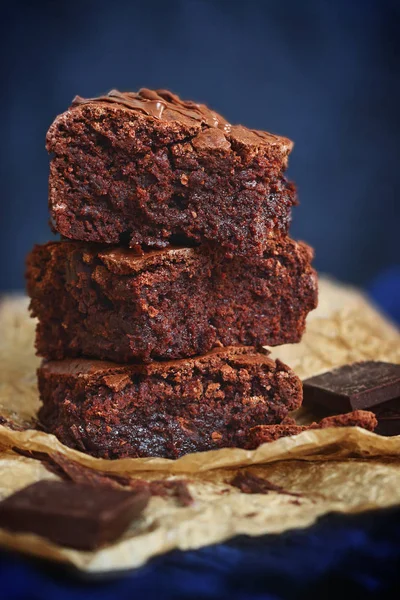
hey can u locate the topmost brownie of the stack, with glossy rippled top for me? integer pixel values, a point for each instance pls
(147, 169)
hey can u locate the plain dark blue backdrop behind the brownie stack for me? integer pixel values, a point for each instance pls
(324, 73)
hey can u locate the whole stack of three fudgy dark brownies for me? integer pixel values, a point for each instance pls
(174, 269)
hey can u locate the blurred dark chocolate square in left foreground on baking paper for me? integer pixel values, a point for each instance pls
(69, 514)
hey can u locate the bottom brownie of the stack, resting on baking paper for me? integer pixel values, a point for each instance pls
(165, 409)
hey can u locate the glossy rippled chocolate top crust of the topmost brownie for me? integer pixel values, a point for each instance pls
(164, 105)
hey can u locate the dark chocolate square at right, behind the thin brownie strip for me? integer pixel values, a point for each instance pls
(356, 386)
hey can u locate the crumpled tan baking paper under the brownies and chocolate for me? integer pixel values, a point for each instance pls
(345, 470)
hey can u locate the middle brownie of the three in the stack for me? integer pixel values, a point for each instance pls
(112, 304)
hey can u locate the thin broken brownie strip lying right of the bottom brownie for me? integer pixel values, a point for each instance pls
(261, 434)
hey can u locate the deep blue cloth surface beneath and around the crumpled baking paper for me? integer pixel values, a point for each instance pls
(357, 556)
